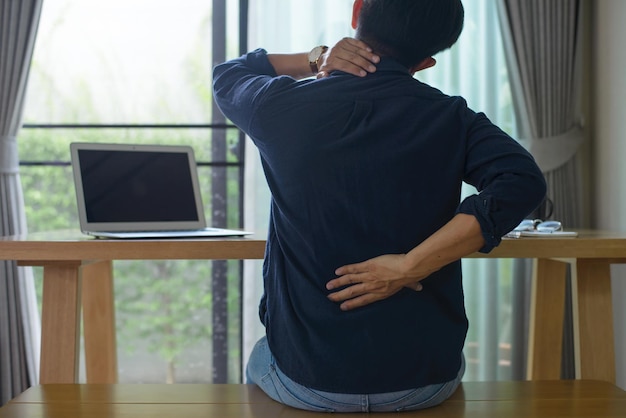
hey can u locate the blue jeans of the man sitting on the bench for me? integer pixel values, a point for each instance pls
(263, 371)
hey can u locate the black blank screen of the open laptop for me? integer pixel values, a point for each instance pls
(137, 186)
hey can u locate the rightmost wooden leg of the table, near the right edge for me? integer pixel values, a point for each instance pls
(593, 320)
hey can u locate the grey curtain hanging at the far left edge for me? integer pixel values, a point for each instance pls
(19, 317)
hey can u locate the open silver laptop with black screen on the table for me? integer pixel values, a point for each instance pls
(139, 191)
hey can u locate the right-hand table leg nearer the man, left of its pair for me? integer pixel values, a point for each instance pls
(546, 320)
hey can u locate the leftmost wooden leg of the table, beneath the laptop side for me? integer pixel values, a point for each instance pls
(60, 323)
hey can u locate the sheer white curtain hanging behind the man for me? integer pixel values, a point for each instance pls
(475, 68)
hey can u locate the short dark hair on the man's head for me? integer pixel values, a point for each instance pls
(410, 30)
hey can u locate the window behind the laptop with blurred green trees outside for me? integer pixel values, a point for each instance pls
(140, 72)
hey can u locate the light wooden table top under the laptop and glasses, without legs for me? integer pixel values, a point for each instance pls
(72, 245)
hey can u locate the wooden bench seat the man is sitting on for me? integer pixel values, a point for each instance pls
(539, 399)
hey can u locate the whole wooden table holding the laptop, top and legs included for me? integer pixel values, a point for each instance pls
(79, 269)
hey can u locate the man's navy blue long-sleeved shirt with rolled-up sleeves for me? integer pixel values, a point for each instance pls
(357, 168)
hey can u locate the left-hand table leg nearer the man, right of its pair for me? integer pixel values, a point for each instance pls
(99, 322)
